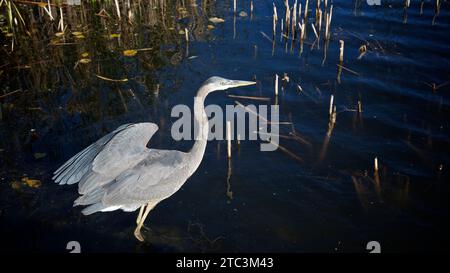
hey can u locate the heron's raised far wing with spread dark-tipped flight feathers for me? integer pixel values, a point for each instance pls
(108, 156)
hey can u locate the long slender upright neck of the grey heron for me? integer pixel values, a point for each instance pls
(201, 128)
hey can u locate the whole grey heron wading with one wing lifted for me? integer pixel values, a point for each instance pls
(119, 172)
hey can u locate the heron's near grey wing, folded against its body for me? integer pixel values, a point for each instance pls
(155, 178)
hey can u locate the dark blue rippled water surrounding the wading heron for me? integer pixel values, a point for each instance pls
(330, 202)
